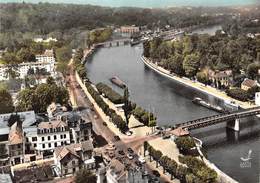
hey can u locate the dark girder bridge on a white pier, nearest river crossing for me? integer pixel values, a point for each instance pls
(232, 119)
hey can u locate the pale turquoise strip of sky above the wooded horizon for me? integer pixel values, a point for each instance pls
(147, 3)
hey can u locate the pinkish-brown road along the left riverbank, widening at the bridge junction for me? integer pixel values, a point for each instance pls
(100, 129)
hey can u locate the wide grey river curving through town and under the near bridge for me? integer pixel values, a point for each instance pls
(171, 102)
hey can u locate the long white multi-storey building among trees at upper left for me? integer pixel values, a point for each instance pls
(45, 61)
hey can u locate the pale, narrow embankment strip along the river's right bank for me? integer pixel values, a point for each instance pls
(195, 85)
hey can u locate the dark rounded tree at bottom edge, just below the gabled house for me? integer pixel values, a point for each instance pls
(85, 176)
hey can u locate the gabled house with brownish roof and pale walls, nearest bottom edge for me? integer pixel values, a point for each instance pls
(69, 159)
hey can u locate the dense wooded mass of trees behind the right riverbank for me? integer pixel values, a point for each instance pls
(194, 53)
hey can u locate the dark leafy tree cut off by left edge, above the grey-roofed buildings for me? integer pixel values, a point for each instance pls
(6, 102)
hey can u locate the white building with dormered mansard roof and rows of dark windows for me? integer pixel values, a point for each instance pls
(49, 135)
